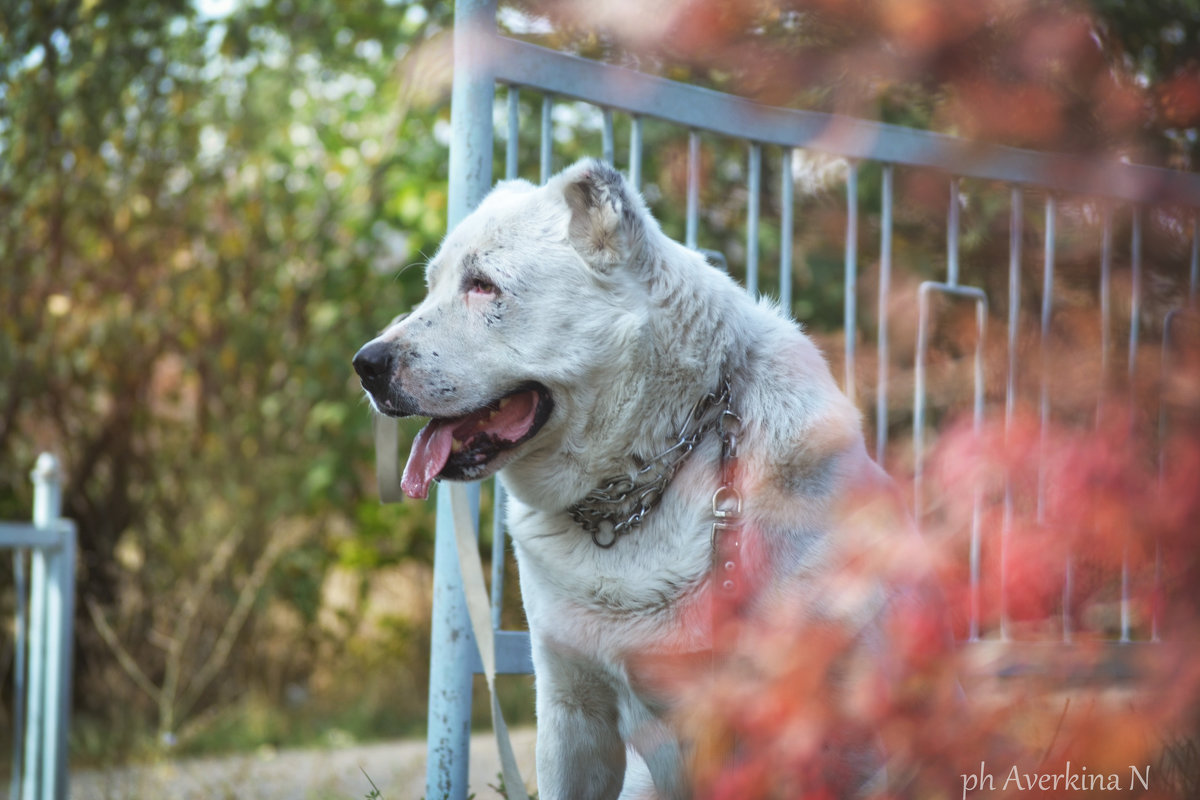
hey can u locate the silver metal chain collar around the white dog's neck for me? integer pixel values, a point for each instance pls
(622, 503)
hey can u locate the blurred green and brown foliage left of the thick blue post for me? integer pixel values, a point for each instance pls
(205, 215)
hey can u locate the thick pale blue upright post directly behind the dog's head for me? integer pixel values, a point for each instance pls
(453, 647)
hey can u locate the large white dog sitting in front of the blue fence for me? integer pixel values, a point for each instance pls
(628, 390)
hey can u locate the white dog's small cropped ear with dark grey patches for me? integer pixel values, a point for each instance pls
(607, 216)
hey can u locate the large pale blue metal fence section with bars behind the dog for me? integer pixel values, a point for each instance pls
(484, 59)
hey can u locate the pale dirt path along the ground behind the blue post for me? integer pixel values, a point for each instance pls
(397, 768)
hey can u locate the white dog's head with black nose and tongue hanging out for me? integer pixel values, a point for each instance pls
(527, 298)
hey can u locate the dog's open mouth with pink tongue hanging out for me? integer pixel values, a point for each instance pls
(463, 448)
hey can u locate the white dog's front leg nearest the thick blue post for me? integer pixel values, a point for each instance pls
(580, 753)
